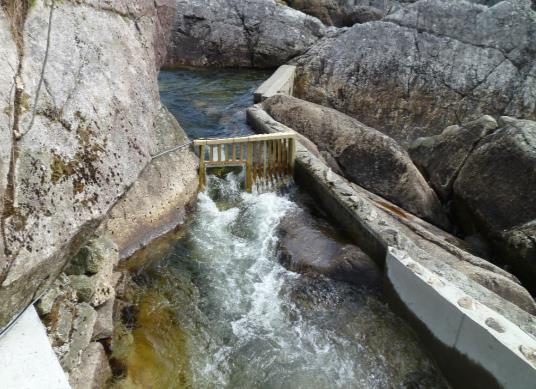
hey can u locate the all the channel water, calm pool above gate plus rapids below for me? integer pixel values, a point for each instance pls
(216, 309)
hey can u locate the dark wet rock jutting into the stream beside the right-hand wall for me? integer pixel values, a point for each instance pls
(311, 245)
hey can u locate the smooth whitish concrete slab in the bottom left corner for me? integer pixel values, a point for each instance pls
(26, 357)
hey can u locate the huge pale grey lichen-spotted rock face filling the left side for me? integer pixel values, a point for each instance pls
(83, 130)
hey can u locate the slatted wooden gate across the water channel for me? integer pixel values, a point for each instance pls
(265, 156)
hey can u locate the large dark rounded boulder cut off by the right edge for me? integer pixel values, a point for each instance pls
(494, 192)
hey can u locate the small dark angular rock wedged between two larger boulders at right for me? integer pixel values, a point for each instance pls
(440, 157)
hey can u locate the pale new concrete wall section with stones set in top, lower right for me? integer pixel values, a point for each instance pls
(484, 336)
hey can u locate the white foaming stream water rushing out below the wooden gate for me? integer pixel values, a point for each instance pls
(250, 323)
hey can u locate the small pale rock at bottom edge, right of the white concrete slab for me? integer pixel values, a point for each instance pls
(94, 371)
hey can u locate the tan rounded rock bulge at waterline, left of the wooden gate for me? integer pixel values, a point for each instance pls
(158, 200)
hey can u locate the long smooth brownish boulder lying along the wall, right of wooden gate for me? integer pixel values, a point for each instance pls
(366, 156)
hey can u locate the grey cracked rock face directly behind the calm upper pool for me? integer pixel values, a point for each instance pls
(251, 33)
